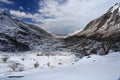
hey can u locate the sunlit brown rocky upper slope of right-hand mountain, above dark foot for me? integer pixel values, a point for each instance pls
(106, 26)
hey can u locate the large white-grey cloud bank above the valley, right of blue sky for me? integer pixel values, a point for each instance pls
(72, 14)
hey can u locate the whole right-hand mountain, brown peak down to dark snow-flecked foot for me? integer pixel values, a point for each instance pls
(100, 36)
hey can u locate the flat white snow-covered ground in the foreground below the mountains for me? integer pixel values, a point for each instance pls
(62, 67)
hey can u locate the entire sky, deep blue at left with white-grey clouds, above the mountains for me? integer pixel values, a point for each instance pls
(57, 16)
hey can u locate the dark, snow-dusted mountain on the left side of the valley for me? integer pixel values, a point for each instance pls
(16, 35)
